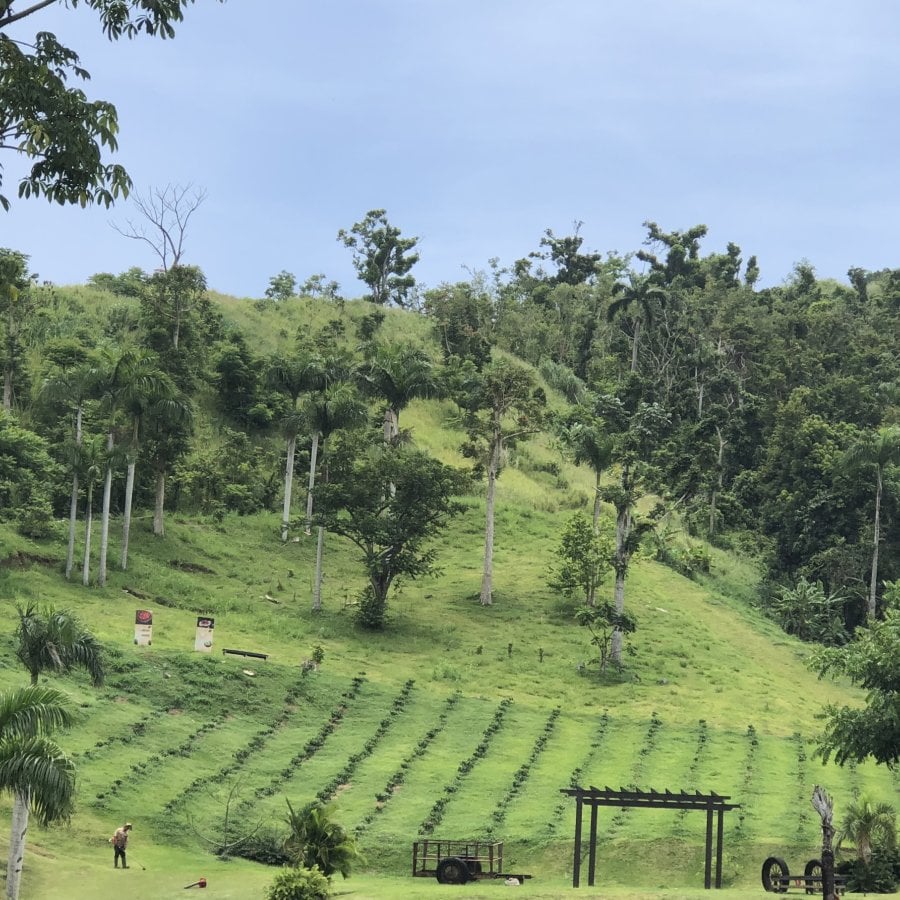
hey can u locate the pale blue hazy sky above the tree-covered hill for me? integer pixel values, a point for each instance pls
(478, 124)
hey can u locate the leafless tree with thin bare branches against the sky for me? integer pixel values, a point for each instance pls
(164, 217)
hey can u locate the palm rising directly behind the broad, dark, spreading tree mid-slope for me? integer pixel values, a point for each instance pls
(399, 373)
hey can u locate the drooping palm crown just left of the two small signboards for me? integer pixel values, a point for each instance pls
(54, 640)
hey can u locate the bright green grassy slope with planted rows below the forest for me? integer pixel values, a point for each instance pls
(716, 698)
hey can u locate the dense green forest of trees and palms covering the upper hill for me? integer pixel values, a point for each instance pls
(761, 419)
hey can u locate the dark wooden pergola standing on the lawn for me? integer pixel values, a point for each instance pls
(713, 804)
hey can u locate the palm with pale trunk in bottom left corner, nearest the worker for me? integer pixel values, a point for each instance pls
(33, 768)
